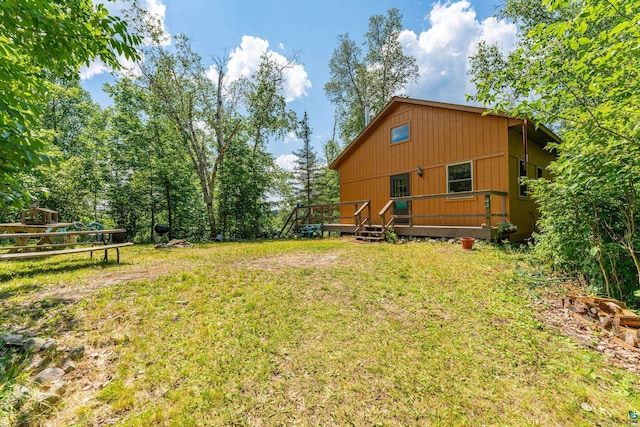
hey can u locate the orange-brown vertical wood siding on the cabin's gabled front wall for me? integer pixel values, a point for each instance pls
(437, 137)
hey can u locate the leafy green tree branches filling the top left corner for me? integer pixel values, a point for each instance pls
(38, 38)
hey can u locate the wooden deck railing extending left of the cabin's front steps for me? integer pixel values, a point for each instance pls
(329, 213)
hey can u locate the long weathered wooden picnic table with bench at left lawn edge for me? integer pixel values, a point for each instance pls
(45, 246)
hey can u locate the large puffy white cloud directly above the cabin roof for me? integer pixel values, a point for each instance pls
(443, 51)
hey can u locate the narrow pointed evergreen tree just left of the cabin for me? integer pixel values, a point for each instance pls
(306, 171)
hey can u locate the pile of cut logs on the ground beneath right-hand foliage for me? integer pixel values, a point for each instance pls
(608, 315)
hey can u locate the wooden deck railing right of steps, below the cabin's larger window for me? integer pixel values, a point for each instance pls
(387, 219)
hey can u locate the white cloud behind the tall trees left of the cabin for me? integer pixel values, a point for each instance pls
(245, 60)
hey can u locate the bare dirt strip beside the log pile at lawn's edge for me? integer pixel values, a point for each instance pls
(560, 318)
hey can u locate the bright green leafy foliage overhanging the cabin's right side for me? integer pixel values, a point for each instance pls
(576, 67)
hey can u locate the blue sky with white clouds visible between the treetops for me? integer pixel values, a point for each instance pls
(440, 34)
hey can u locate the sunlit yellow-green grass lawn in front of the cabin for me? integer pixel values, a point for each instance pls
(322, 332)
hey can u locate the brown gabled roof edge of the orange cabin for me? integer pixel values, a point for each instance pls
(396, 100)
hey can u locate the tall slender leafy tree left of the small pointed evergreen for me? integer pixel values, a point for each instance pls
(247, 172)
